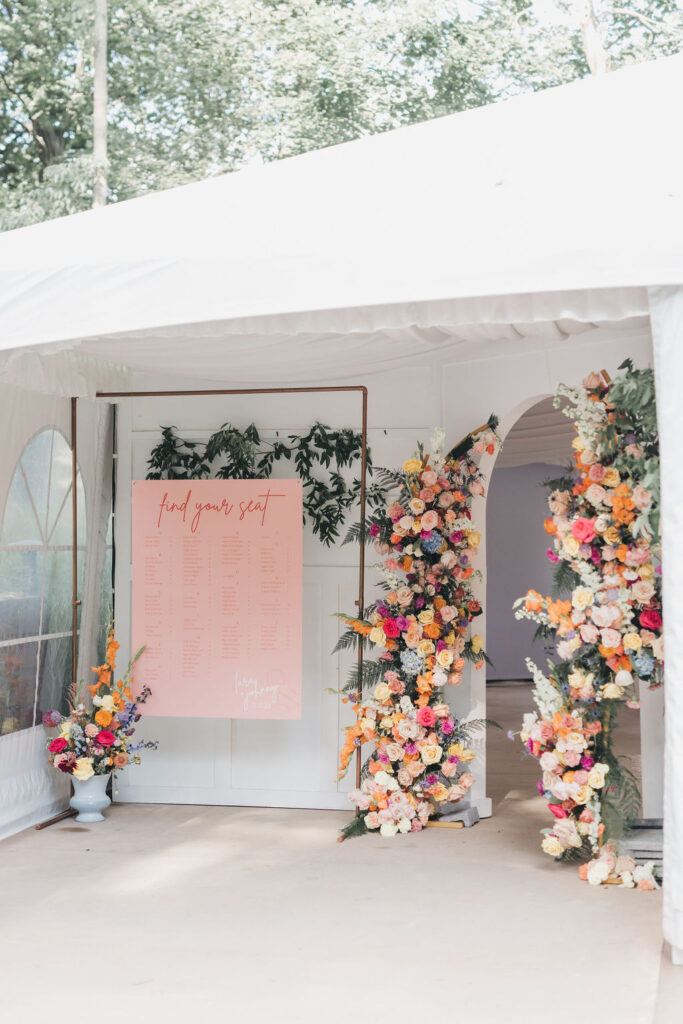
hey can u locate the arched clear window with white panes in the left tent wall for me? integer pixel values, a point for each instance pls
(36, 590)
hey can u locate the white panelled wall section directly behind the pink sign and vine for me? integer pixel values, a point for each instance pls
(290, 764)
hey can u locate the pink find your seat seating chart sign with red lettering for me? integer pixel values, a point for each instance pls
(218, 598)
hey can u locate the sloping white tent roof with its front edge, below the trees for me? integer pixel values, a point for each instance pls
(556, 208)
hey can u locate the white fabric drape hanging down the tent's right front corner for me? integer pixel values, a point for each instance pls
(667, 319)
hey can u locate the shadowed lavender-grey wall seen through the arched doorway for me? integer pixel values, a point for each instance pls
(517, 544)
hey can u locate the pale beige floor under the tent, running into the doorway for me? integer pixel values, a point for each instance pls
(201, 914)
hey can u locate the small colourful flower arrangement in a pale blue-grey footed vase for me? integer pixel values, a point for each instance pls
(96, 741)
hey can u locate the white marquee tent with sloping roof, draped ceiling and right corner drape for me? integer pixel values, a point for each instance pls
(495, 250)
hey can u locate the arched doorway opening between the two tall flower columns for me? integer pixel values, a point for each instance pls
(537, 449)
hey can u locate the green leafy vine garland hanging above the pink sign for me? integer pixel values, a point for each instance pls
(319, 458)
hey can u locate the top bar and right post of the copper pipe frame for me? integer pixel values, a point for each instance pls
(364, 474)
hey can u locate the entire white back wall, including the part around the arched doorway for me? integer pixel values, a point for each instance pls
(294, 764)
